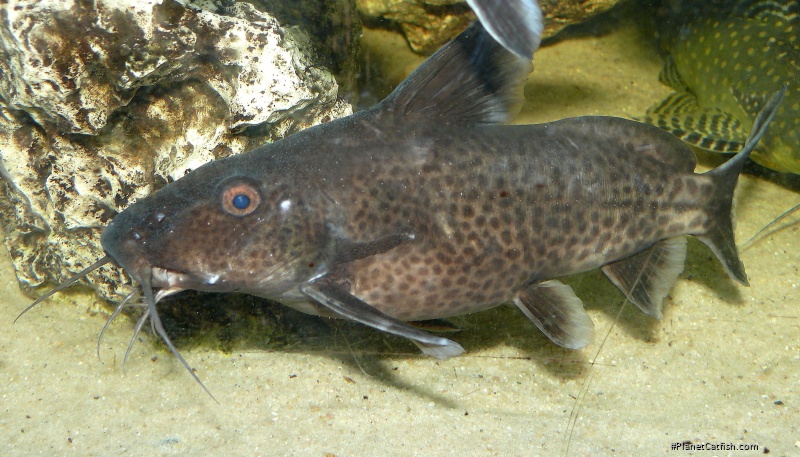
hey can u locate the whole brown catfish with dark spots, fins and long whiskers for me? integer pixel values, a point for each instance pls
(424, 207)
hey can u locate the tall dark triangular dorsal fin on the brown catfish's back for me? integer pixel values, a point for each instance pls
(471, 80)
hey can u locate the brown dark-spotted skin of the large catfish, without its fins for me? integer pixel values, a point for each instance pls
(489, 213)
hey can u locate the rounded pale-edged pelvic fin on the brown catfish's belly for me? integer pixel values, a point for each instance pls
(558, 313)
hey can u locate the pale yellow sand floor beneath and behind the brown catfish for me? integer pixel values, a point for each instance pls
(723, 366)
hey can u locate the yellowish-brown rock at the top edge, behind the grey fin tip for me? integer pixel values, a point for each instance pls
(428, 24)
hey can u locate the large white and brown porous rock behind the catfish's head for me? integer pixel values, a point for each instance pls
(104, 101)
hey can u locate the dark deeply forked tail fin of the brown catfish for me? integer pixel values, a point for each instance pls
(719, 230)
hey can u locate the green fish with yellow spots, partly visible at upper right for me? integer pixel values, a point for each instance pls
(724, 58)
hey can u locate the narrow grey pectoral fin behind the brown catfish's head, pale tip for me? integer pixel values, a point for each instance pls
(336, 298)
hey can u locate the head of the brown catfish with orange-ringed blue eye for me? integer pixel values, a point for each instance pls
(242, 224)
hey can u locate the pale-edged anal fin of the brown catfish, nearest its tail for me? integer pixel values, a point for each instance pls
(647, 277)
